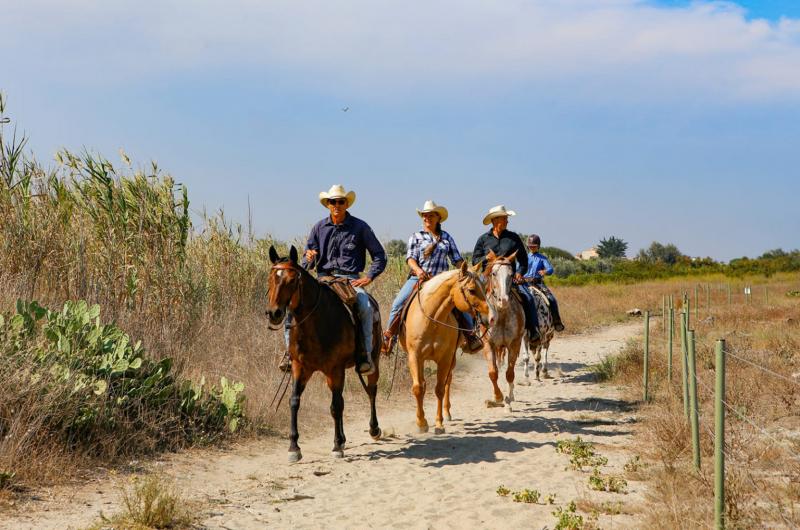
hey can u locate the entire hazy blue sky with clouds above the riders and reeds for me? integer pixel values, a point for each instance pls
(671, 121)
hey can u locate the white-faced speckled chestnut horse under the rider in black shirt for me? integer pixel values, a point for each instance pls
(505, 335)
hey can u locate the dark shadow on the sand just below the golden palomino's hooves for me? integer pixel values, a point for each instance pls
(442, 451)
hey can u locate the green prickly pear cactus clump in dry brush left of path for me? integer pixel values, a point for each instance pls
(104, 383)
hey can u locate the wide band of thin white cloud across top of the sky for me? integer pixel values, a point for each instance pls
(602, 49)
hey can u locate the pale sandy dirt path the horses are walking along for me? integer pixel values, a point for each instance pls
(410, 480)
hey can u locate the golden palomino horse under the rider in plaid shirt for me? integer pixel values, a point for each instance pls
(431, 333)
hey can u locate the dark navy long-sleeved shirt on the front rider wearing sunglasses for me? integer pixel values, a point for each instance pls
(342, 248)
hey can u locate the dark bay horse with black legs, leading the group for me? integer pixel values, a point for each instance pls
(322, 338)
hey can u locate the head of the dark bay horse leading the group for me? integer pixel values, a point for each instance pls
(283, 286)
